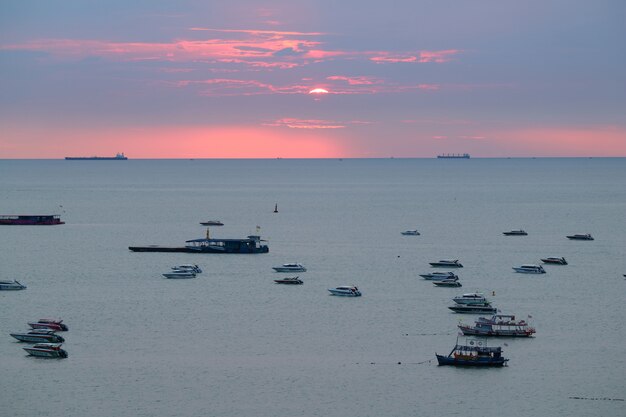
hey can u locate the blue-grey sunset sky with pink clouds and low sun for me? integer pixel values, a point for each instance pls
(312, 79)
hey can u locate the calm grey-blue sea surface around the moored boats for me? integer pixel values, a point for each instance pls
(233, 343)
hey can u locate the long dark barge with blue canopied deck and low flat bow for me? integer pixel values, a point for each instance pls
(252, 244)
